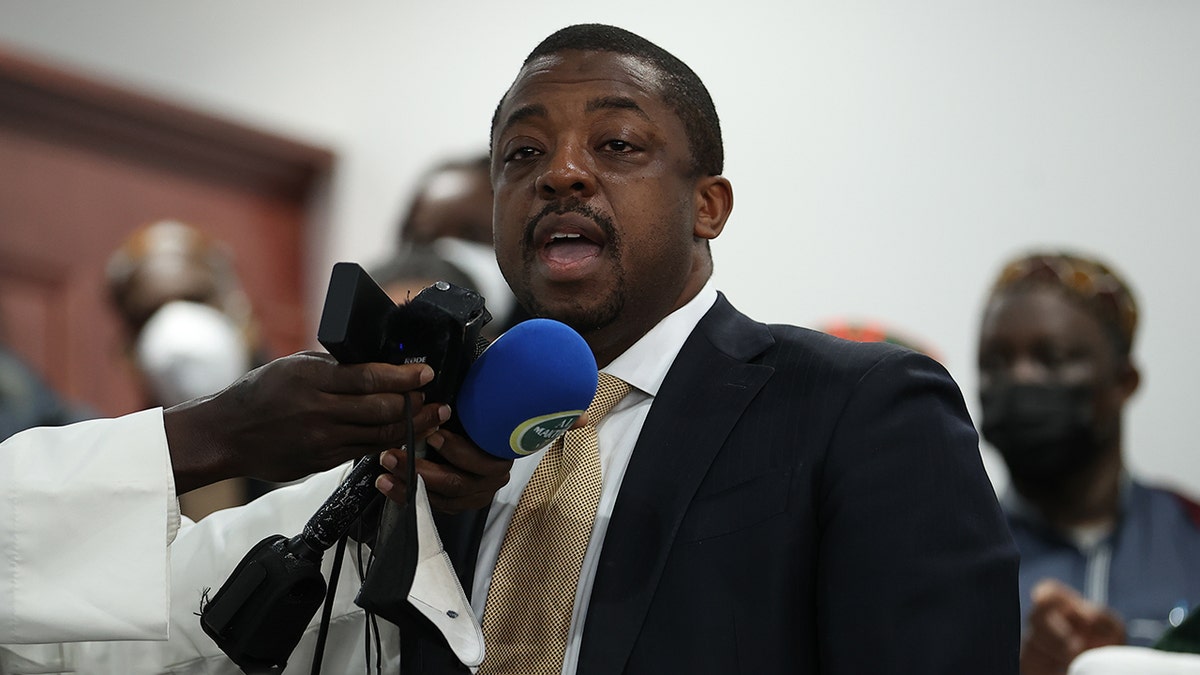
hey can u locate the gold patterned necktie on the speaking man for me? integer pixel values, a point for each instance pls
(530, 605)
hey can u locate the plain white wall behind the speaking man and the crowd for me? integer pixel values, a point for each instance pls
(886, 156)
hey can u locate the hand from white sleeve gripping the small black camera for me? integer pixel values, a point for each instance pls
(296, 416)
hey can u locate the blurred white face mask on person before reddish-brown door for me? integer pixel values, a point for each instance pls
(189, 350)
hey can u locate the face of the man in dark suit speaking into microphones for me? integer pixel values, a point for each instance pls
(596, 199)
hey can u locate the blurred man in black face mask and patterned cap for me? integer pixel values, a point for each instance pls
(1106, 559)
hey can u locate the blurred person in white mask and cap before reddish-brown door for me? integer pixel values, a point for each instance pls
(188, 327)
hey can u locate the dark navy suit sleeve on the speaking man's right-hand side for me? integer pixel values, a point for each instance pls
(917, 572)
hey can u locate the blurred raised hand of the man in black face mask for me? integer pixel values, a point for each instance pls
(1061, 626)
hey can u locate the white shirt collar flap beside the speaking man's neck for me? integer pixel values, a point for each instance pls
(646, 363)
